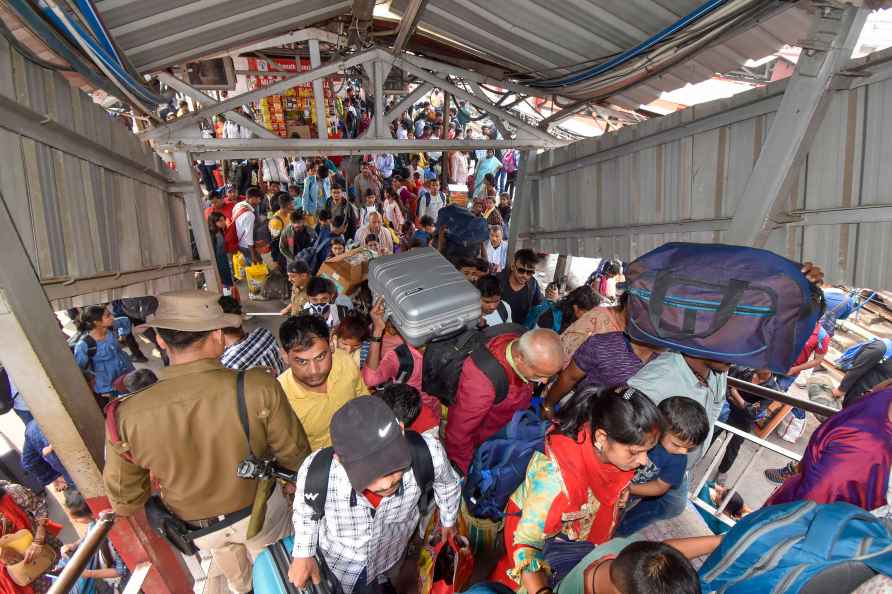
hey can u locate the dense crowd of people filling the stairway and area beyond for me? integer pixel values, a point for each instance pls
(336, 399)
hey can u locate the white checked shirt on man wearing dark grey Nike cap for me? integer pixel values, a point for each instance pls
(353, 535)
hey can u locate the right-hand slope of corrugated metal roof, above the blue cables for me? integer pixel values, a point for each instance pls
(532, 35)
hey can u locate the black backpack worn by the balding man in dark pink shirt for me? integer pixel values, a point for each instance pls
(444, 358)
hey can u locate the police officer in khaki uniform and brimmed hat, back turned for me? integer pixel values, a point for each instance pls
(185, 431)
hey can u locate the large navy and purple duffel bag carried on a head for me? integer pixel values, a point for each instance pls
(739, 305)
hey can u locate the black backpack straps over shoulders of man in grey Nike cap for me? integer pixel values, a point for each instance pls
(316, 486)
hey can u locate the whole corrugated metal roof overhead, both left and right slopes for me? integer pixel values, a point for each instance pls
(524, 35)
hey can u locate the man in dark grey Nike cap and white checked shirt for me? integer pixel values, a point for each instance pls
(357, 503)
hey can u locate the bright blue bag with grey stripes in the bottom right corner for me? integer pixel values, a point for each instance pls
(800, 548)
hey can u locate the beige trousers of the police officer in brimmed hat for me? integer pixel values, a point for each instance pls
(234, 554)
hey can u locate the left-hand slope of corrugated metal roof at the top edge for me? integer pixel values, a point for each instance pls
(156, 34)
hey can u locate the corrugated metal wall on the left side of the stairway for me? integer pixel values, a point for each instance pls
(79, 219)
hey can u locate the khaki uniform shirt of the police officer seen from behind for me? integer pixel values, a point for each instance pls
(185, 431)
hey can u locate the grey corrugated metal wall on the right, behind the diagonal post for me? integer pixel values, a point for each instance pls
(678, 178)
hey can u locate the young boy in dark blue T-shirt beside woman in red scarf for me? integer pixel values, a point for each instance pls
(687, 426)
